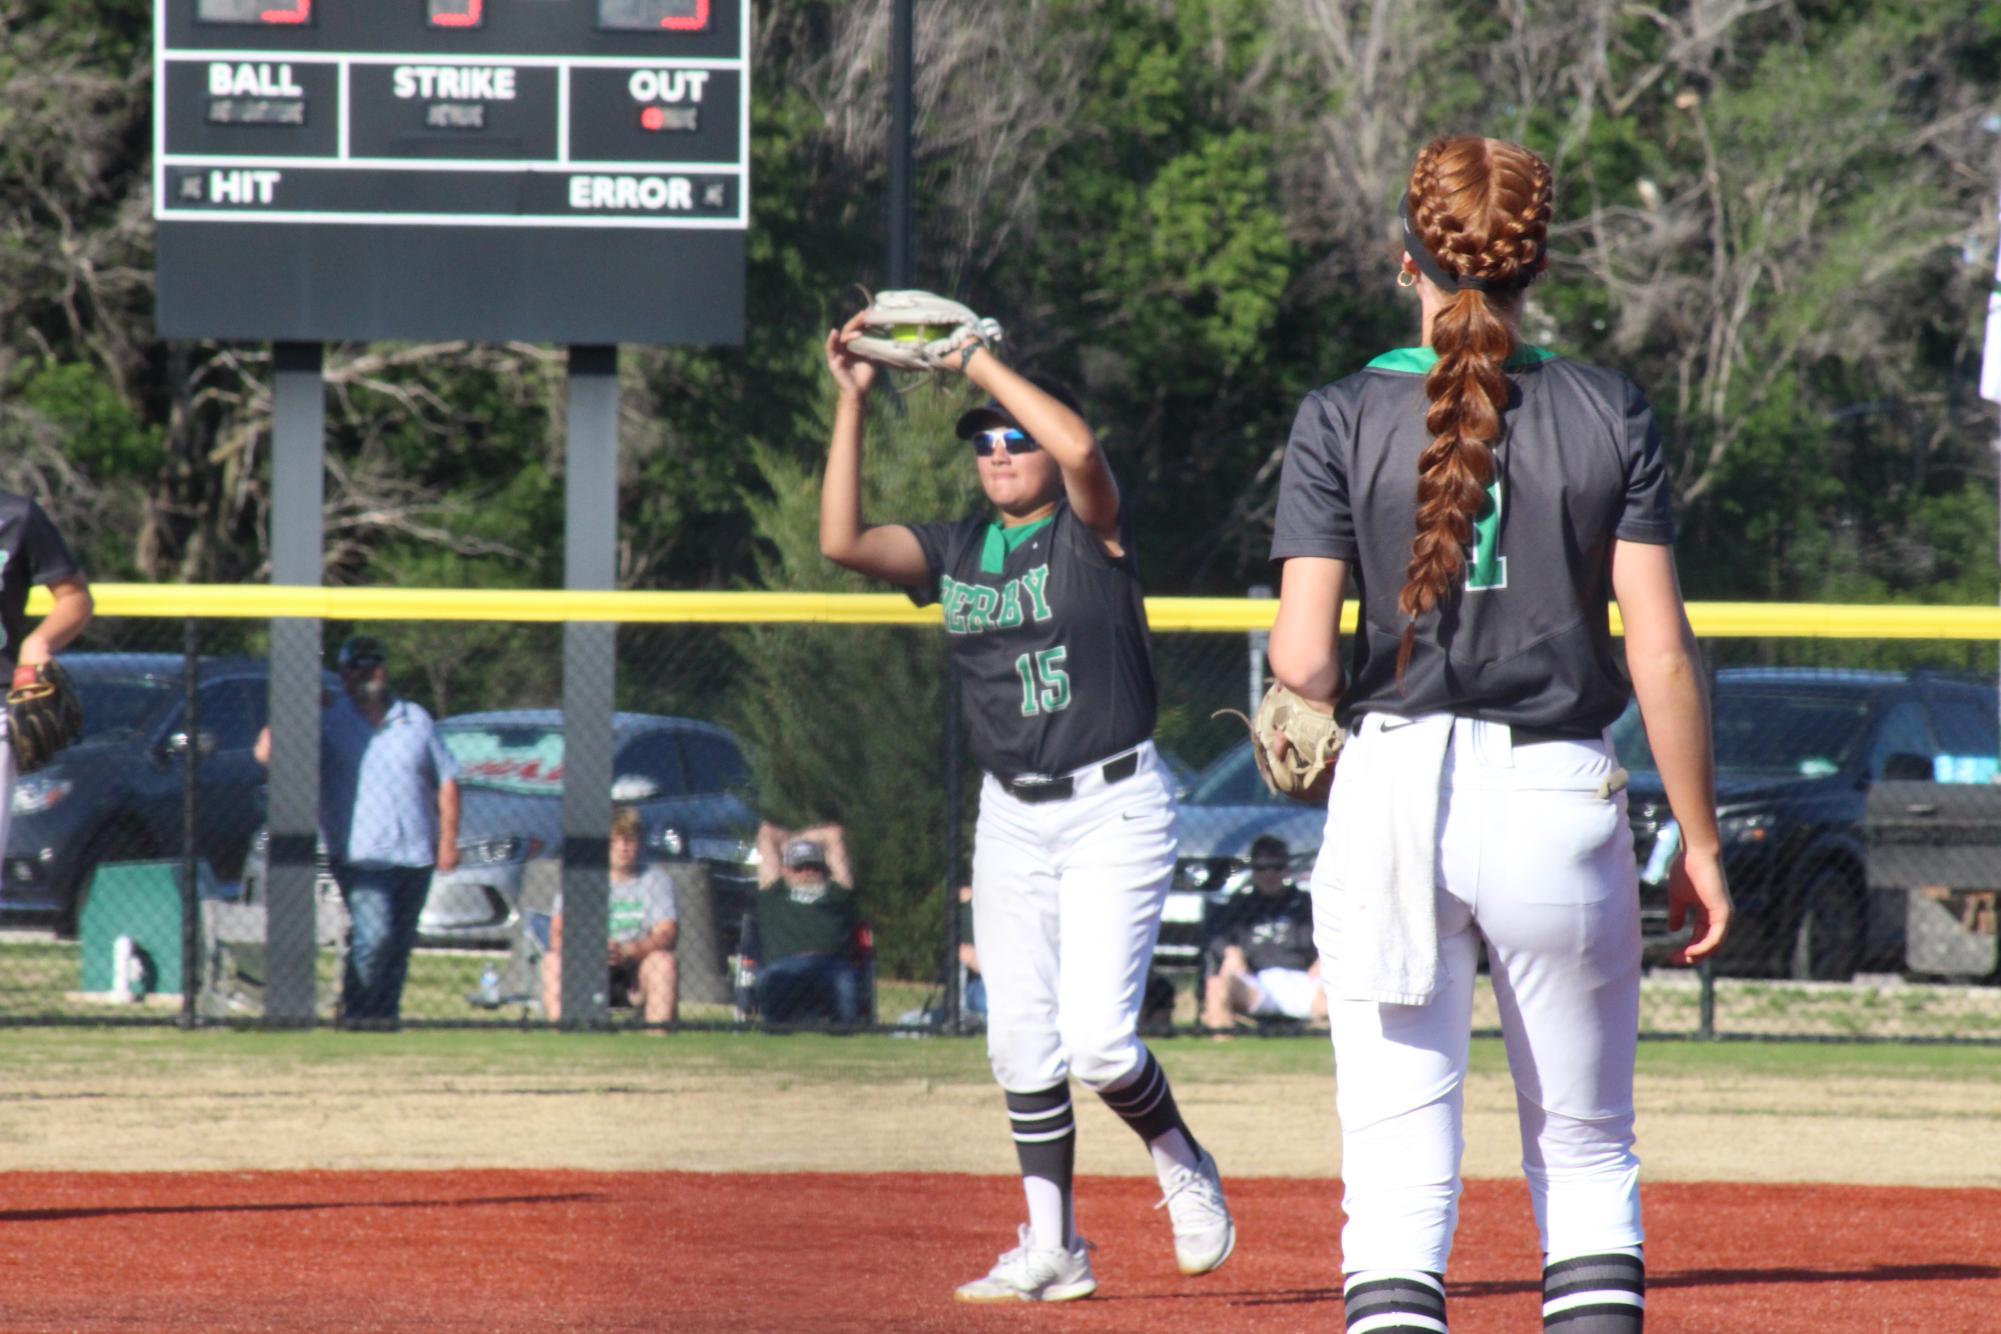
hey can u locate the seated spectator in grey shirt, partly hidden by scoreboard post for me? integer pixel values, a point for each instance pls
(645, 925)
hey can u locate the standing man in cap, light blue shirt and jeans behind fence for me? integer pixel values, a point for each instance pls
(389, 815)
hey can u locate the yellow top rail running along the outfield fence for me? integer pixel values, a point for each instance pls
(889, 609)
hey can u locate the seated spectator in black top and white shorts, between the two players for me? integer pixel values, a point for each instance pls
(1264, 959)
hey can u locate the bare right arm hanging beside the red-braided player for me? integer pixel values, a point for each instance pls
(1668, 681)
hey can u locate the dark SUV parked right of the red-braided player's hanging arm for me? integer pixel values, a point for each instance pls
(1838, 793)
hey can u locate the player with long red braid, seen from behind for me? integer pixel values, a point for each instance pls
(1486, 499)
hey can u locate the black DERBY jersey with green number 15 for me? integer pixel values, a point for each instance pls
(1048, 635)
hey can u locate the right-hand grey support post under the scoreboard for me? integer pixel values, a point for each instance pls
(589, 563)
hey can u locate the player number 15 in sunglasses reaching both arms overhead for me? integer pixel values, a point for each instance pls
(1078, 823)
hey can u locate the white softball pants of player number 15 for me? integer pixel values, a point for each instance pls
(1066, 915)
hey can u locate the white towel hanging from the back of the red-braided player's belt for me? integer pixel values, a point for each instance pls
(1390, 917)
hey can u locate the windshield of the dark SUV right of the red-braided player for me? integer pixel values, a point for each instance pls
(1768, 731)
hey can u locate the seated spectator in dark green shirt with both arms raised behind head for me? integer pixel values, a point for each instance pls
(807, 927)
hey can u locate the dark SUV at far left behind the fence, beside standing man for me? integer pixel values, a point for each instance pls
(117, 795)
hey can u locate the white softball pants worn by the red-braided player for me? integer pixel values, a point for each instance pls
(1540, 867)
